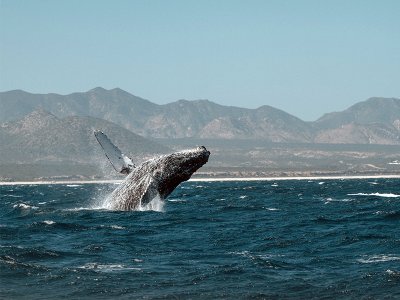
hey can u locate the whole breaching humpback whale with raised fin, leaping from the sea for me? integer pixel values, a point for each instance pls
(155, 177)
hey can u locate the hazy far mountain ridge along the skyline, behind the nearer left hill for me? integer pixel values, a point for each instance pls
(376, 120)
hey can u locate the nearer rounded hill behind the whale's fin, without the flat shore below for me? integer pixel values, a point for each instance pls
(41, 136)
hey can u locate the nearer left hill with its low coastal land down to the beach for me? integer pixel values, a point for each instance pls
(41, 144)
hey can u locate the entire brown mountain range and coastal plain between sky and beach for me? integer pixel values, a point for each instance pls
(51, 136)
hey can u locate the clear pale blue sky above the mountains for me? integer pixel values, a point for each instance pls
(305, 57)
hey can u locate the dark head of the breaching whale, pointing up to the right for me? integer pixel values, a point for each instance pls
(180, 166)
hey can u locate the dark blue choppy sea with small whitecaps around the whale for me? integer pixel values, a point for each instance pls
(285, 240)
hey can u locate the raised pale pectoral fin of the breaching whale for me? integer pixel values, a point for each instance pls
(120, 162)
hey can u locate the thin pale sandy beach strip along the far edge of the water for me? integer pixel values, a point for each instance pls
(223, 179)
